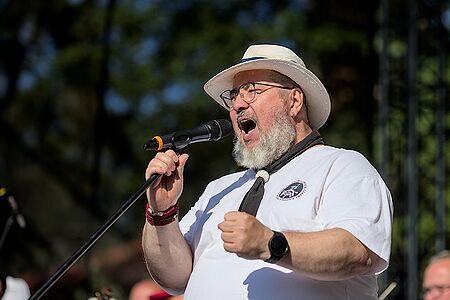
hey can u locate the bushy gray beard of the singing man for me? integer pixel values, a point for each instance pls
(272, 146)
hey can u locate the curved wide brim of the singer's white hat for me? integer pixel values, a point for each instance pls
(317, 98)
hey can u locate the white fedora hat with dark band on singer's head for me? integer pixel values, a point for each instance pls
(284, 61)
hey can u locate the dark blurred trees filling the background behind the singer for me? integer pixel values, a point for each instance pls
(83, 84)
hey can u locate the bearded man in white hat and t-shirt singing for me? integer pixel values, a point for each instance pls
(304, 220)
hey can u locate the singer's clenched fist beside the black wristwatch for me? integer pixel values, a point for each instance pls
(244, 235)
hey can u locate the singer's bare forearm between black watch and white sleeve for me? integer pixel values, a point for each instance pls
(333, 254)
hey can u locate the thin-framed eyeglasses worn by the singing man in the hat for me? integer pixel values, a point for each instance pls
(247, 92)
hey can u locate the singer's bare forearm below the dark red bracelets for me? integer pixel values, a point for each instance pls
(167, 255)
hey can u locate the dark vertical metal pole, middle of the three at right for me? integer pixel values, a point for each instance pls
(411, 164)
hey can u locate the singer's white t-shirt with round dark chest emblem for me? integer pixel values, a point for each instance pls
(323, 188)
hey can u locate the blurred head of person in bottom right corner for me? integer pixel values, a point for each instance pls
(436, 281)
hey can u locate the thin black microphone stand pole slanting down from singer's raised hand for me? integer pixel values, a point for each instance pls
(77, 254)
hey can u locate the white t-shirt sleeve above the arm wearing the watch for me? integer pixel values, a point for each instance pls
(356, 199)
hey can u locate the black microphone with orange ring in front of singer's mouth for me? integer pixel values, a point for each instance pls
(211, 131)
